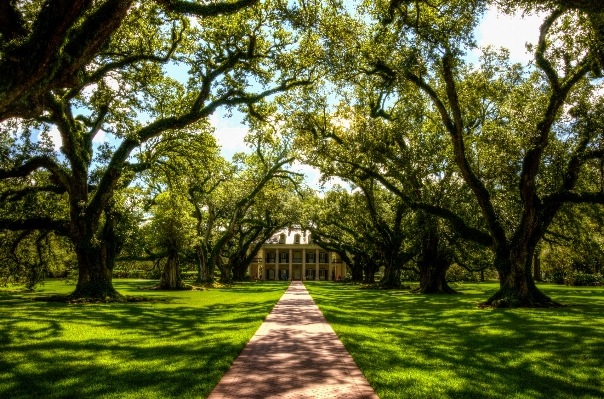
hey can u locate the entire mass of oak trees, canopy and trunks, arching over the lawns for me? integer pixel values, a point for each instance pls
(448, 158)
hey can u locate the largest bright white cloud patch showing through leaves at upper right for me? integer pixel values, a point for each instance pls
(510, 31)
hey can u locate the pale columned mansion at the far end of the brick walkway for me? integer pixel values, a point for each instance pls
(290, 255)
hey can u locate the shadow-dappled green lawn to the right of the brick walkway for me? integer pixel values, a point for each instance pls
(443, 346)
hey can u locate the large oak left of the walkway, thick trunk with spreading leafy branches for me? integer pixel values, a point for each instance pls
(123, 91)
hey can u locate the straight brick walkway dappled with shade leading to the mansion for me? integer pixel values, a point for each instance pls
(294, 354)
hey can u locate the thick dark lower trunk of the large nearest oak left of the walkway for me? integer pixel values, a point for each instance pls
(95, 267)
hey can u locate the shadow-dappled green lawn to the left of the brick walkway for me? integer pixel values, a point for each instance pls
(179, 347)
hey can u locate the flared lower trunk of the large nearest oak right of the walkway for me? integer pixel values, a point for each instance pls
(517, 287)
